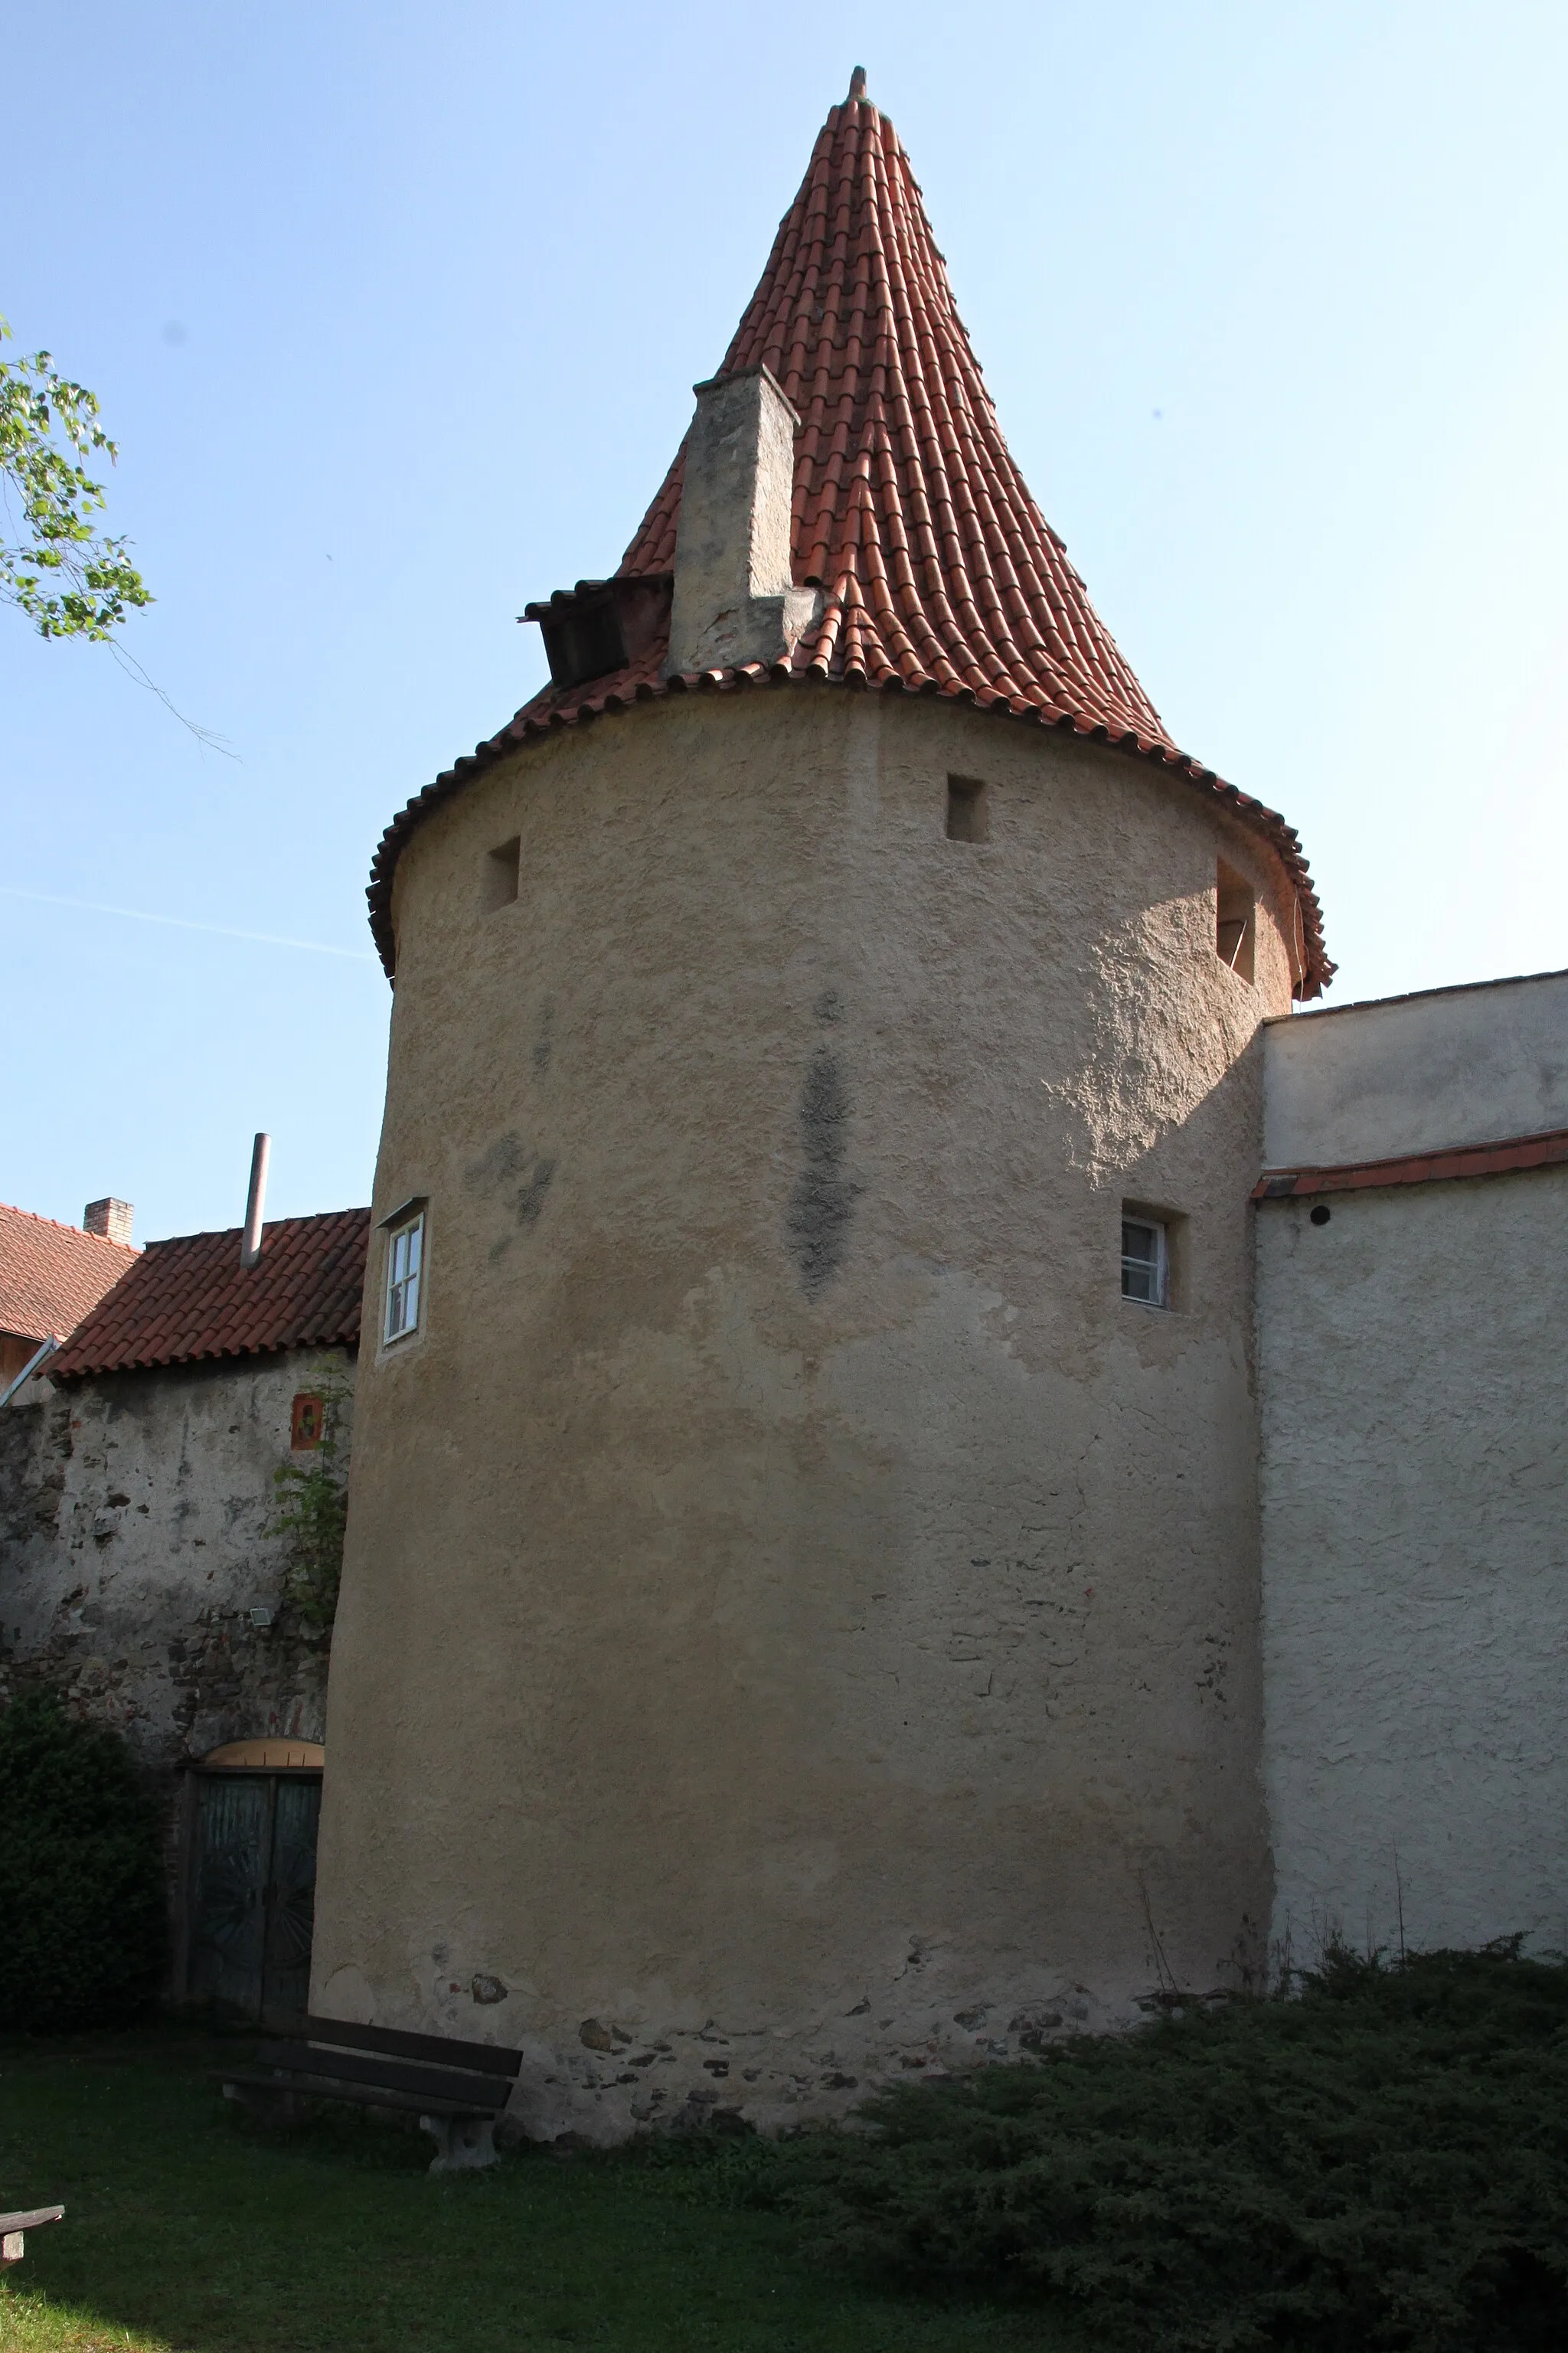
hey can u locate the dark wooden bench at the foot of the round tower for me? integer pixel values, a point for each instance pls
(453, 2088)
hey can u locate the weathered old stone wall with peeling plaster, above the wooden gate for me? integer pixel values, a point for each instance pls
(133, 1552)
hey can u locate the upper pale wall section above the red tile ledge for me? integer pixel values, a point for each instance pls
(1418, 1074)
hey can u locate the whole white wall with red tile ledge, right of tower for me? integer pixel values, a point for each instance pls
(1411, 1314)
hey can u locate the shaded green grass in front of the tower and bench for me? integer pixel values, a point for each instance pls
(194, 2232)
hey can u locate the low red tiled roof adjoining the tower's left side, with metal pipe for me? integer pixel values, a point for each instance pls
(192, 1300)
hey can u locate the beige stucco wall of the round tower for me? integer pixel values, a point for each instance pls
(799, 1622)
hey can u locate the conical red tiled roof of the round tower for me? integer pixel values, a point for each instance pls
(936, 568)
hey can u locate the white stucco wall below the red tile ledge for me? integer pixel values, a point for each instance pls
(1416, 1566)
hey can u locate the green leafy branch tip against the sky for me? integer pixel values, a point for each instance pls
(53, 564)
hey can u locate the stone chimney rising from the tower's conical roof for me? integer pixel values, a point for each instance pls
(736, 596)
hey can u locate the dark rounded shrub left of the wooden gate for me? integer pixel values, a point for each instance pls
(81, 1874)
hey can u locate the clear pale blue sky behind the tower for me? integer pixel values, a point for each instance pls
(397, 314)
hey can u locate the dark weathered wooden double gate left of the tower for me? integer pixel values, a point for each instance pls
(251, 1893)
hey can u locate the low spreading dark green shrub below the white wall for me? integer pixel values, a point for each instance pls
(1376, 2164)
